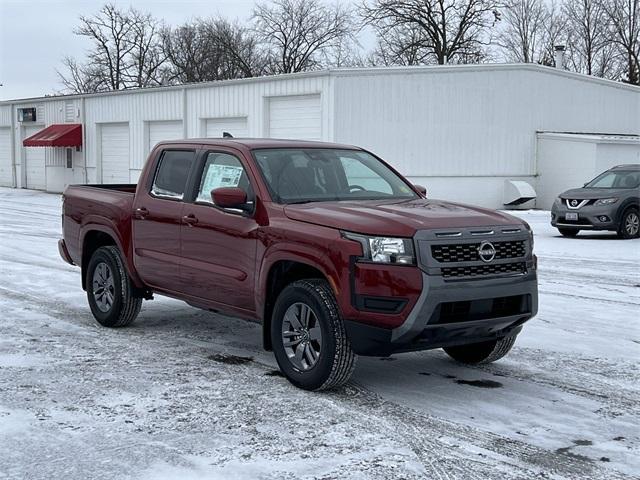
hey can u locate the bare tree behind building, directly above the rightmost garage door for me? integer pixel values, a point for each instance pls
(296, 33)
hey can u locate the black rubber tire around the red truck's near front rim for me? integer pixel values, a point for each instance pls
(335, 361)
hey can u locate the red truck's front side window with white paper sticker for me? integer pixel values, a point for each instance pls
(222, 170)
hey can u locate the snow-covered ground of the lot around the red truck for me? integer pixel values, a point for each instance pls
(186, 394)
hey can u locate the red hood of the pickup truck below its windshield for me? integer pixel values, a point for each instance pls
(396, 217)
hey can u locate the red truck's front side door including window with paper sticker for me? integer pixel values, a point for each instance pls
(219, 245)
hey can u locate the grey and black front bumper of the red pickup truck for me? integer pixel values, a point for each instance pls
(428, 326)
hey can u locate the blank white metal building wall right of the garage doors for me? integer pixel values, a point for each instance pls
(465, 129)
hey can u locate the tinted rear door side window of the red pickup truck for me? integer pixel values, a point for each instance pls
(172, 173)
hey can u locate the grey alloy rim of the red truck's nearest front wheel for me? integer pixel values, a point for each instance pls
(301, 336)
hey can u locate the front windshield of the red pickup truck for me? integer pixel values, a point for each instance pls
(315, 175)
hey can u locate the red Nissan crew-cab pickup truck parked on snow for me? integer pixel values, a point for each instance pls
(327, 246)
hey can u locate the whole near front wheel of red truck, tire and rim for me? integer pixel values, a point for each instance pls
(308, 337)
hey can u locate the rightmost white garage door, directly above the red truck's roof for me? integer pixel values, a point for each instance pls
(297, 117)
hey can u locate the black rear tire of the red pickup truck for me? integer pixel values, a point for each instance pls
(125, 306)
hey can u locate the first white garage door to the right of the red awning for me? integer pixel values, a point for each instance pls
(114, 148)
